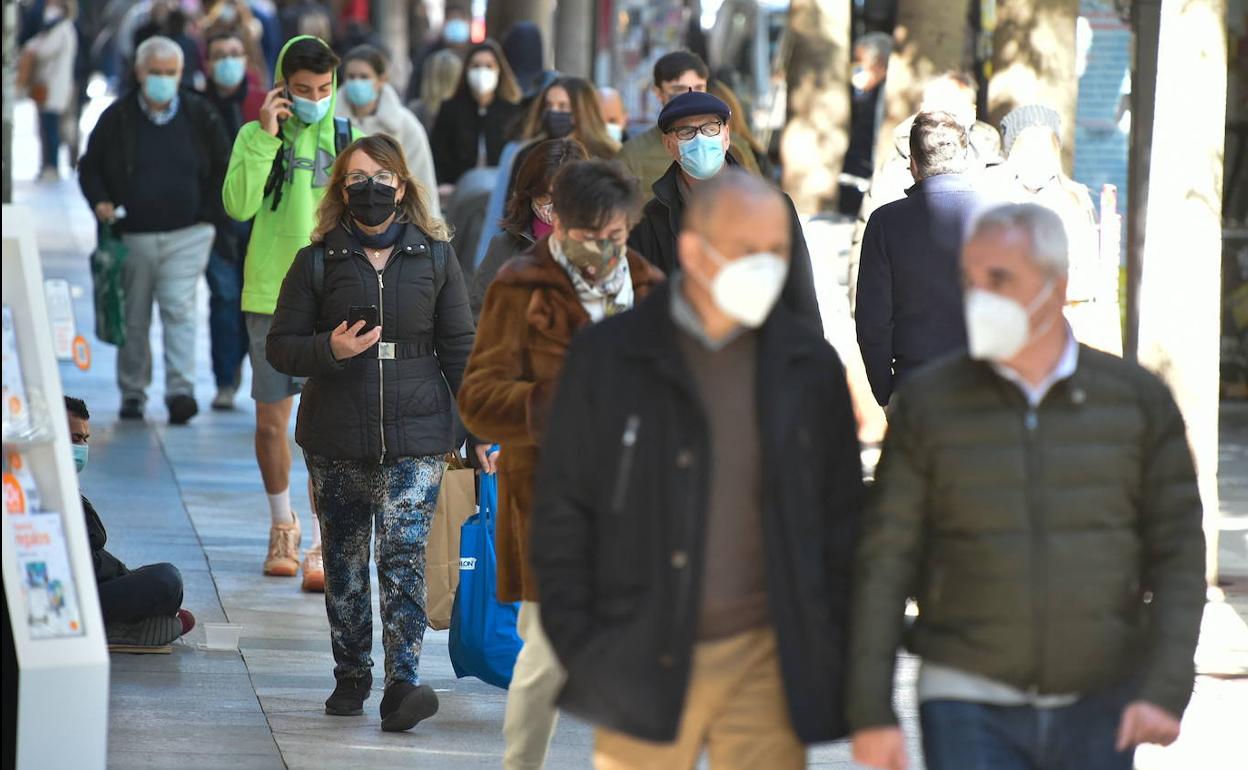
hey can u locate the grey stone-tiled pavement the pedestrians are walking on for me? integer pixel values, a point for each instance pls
(193, 496)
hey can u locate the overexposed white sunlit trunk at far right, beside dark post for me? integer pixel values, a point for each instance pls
(1181, 279)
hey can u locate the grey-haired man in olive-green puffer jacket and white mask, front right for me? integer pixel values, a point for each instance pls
(1040, 502)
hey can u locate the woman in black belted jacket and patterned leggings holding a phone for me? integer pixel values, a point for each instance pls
(376, 419)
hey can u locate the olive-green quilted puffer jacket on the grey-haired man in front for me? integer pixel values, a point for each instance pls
(1056, 548)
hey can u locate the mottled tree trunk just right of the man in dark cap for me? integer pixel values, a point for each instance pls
(817, 134)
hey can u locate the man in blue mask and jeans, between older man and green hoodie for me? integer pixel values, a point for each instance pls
(234, 89)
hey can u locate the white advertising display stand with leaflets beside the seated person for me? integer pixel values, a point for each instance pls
(49, 582)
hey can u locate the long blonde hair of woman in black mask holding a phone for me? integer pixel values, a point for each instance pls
(389, 154)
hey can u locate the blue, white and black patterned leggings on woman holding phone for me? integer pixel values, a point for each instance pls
(397, 500)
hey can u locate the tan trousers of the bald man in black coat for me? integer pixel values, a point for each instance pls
(736, 709)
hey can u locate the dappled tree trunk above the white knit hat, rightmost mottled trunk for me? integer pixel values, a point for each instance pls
(1034, 63)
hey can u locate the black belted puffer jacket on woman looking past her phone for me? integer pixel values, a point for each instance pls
(365, 407)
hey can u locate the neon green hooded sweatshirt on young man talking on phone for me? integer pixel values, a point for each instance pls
(276, 236)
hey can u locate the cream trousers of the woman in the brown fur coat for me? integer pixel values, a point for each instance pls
(537, 680)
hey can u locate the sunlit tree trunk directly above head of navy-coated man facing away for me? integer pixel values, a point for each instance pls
(930, 38)
